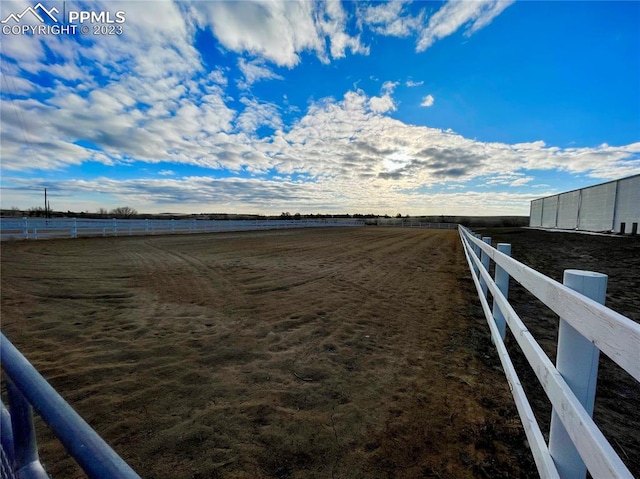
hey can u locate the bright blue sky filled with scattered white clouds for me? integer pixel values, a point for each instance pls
(459, 107)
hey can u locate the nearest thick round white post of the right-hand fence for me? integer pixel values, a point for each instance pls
(577, 361)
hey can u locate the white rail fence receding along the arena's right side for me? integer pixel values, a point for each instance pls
(586, 328)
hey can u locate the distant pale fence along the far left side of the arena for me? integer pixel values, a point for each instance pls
(40, 228)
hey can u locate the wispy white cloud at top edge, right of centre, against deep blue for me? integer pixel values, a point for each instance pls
(454, 14)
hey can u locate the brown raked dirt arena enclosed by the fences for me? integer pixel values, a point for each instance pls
(332, 353)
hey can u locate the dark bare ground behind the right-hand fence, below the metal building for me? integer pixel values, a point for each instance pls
(617, 406)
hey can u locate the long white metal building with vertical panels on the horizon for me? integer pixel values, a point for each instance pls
(613, 207)
